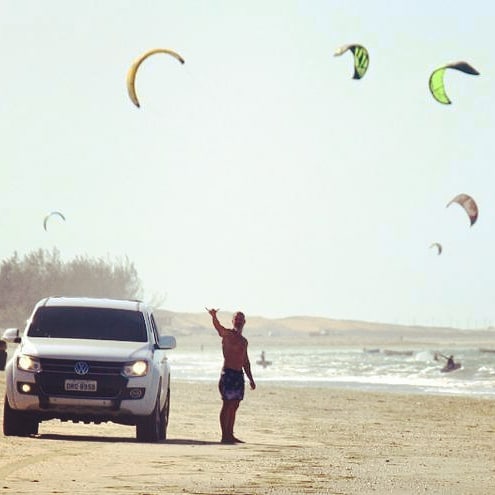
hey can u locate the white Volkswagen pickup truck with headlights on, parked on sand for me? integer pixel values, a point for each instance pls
(91, 360)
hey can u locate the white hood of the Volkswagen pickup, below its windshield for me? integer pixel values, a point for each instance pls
(107, 350)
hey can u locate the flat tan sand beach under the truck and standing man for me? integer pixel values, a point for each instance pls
(298, 441)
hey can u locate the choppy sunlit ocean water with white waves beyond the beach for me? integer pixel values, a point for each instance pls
(374, 370)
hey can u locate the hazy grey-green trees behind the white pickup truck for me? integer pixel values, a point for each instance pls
(24, 281)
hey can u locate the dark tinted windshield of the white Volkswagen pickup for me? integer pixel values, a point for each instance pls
(88, 323)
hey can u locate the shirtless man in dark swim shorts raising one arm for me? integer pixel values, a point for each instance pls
(231, 384)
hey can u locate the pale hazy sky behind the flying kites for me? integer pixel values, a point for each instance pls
(258, 176)
